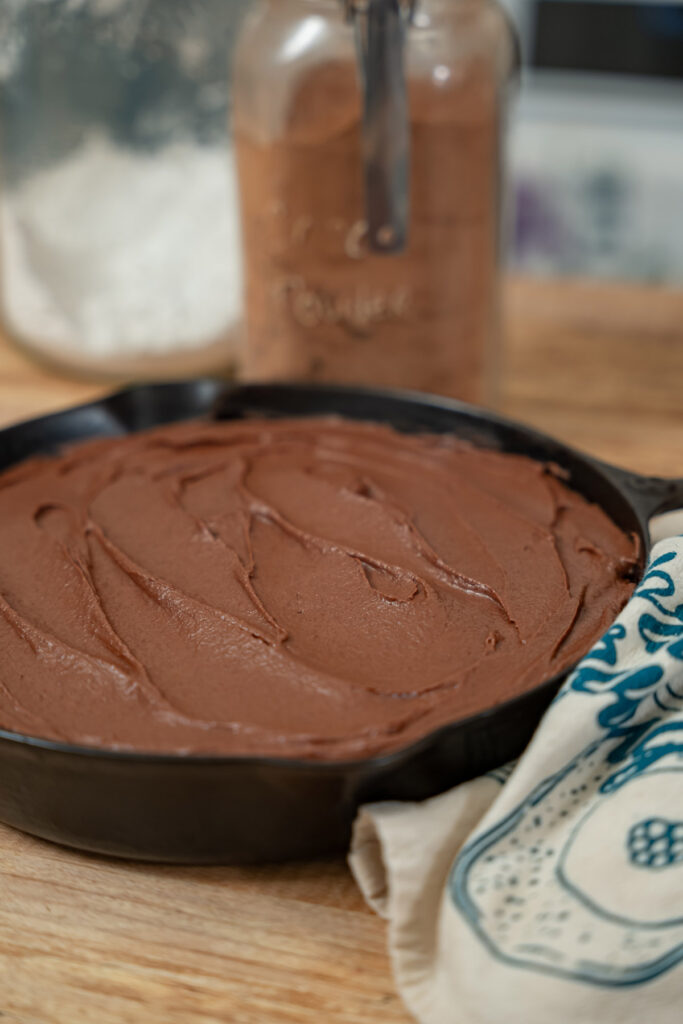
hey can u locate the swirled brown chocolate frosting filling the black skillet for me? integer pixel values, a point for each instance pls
(312, 588)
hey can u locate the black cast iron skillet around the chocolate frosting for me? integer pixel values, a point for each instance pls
(247, 809)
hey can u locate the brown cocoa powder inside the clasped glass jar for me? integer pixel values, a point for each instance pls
(320, 306)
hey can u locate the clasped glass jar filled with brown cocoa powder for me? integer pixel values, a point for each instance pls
(369, 160)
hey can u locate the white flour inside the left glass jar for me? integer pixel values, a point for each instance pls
(114, 253)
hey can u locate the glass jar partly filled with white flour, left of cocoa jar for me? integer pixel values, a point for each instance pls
(119, 234)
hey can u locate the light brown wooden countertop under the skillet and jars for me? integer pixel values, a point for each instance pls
(86, 941)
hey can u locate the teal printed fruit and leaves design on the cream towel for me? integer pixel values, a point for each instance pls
(584, 879)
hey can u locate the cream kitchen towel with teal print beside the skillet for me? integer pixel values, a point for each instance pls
(552, 890)
